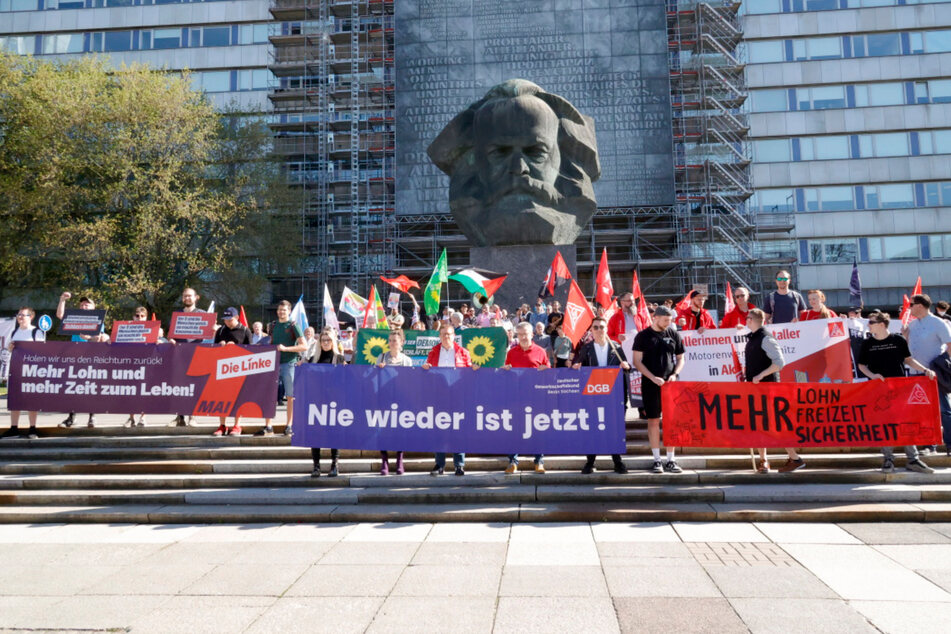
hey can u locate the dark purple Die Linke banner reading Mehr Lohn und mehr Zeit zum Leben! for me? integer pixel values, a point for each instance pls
(154, 379)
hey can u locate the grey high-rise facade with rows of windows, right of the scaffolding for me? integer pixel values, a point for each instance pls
(850, 104)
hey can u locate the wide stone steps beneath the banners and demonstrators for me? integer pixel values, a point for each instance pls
(160, 474)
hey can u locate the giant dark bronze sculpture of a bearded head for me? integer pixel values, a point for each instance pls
(521, 163)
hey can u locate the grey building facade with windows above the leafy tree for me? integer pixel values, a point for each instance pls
(224, 44)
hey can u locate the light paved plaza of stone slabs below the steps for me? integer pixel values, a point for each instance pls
(683, 577)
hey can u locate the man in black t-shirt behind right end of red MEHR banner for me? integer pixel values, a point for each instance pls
(882, 356)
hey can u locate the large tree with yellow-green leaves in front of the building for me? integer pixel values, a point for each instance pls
(127, 183)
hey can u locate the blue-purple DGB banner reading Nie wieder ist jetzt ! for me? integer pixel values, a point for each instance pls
(446, 409)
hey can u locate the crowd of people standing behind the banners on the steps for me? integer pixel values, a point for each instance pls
(537, 340)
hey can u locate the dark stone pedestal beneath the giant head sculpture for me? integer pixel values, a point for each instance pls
(526, 266)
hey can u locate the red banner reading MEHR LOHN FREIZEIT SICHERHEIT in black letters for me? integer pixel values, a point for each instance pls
(898, 412)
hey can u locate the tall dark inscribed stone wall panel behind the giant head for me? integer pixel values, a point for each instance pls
(608, 57)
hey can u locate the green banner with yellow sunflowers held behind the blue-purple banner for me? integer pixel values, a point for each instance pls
(486, 346)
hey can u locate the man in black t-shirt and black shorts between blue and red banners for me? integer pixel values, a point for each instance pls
(659, 357)
